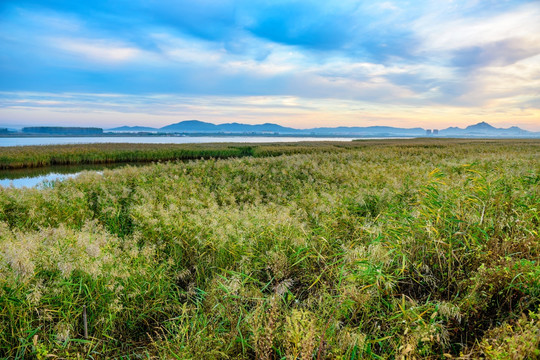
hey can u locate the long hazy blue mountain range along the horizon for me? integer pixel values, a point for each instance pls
(481, 129)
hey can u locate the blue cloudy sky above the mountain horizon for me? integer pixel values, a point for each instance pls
(303, 63)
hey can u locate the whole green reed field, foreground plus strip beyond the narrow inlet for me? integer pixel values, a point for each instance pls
(362, 250)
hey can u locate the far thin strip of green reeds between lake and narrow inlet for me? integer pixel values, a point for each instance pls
(19, 157)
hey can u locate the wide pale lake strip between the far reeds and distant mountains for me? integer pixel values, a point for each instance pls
(25, 141)
